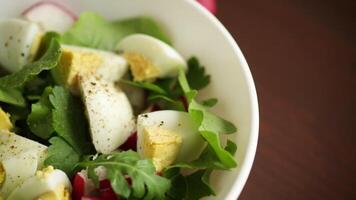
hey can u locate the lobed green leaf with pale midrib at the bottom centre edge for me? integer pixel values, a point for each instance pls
(145, 183)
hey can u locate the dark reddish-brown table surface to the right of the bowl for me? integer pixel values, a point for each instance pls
(302, 54)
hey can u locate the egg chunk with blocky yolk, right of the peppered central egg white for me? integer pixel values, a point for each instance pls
(168, 136)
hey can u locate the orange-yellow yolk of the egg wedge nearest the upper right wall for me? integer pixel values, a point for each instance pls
(142, 68)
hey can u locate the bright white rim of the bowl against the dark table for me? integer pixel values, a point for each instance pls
(246, 167)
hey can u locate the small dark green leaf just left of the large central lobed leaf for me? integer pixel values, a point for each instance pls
(40, 120)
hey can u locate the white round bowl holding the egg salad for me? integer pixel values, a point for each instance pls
(194, 31)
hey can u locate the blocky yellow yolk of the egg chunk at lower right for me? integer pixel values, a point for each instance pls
(161, 145)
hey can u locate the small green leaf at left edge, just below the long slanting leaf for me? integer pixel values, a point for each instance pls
(12, 96)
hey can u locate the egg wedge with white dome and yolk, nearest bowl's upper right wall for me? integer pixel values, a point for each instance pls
(150, 58)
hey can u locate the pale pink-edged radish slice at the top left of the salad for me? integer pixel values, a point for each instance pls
(51, 16)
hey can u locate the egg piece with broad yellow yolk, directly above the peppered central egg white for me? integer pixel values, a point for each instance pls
(81, 61)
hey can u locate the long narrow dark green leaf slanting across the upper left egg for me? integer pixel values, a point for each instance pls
(48, 61)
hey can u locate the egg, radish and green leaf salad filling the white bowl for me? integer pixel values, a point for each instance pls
(92, 109)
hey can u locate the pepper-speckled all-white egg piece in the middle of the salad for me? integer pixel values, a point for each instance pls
(108, 111)
